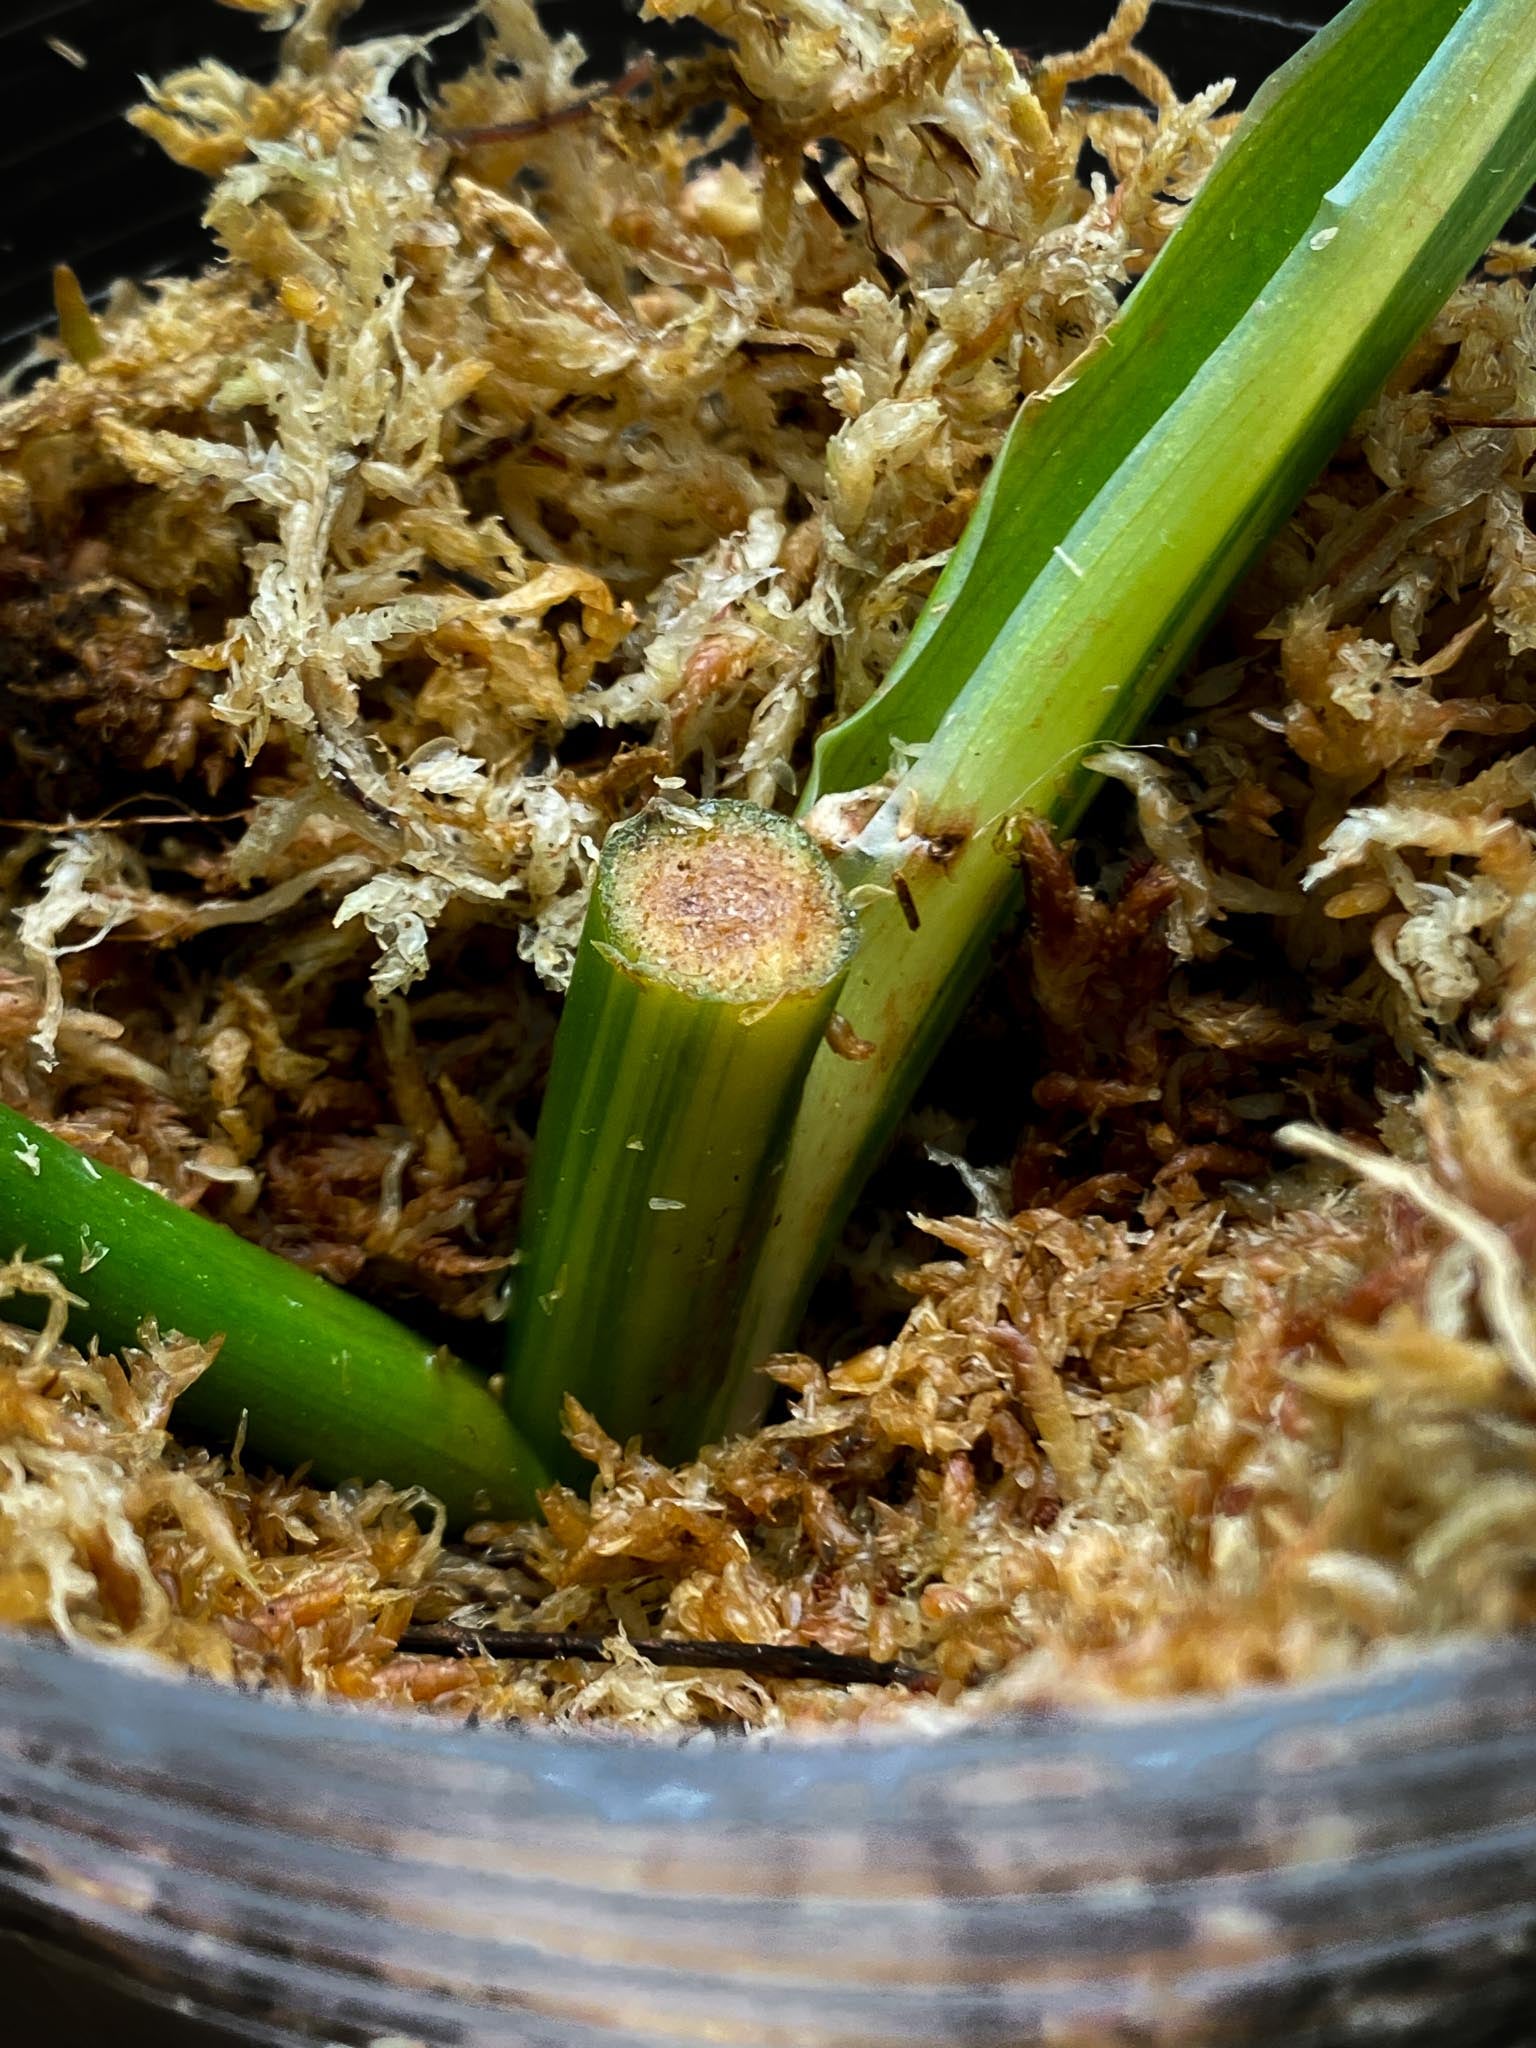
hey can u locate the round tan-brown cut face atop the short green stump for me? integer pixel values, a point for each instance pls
(726, 902)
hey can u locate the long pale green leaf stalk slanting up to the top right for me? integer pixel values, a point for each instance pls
(1371, 175)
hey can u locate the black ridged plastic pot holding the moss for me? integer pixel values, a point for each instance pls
(183, 1867)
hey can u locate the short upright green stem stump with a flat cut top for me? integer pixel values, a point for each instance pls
(706, 980)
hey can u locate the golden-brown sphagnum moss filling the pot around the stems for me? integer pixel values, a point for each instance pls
(490, 484)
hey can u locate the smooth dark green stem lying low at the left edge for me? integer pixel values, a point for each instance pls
(316, 1377)
